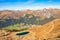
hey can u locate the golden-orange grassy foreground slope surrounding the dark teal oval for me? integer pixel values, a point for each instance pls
(48, 31)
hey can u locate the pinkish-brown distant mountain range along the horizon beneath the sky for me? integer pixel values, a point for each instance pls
(45, 13)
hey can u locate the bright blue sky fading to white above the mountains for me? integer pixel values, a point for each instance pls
(28, 4)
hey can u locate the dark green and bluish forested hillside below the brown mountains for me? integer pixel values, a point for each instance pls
(28, 19)
